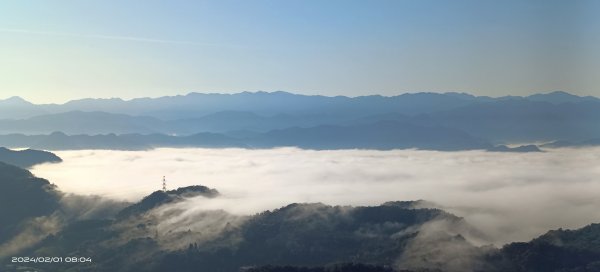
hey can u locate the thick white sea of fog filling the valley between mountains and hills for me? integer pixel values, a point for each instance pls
(509, 196)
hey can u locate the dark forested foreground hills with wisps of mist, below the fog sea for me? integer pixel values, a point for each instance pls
(160, 234)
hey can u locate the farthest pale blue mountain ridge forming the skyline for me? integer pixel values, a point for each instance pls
(270, 102)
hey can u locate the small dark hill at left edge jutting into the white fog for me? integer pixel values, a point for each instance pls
(27, 158)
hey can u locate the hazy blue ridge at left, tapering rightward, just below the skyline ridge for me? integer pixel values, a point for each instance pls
(79, 122)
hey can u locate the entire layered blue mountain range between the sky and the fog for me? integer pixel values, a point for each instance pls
(263, 119)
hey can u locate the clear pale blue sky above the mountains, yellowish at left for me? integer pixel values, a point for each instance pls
(54, 51)
